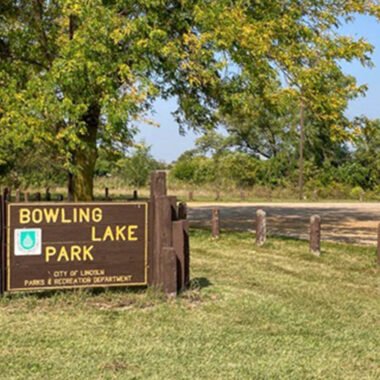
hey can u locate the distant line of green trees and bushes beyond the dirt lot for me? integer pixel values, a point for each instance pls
(331, 169)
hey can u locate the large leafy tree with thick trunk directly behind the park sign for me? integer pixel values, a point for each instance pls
(76, 75)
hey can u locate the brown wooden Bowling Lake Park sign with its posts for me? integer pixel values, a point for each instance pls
(48, 245)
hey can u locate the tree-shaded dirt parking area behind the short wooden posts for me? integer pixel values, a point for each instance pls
(341, 222)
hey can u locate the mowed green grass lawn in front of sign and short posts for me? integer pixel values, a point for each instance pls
(253, 313)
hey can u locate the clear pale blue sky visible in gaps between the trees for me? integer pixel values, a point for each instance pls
(167, 144)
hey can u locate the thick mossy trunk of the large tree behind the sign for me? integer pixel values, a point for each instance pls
(80, 186)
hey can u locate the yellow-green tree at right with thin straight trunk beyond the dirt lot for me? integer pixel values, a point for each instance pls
(308, 82)
